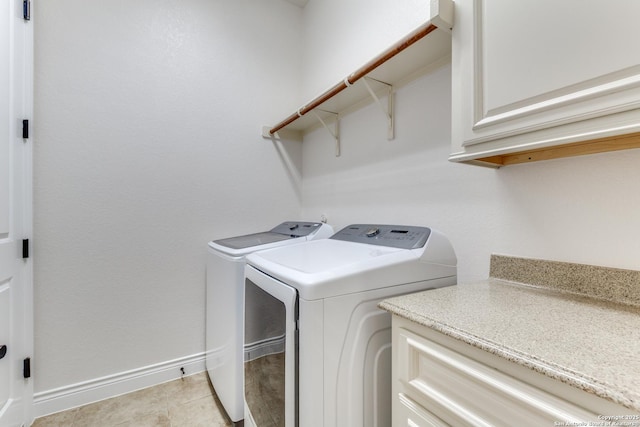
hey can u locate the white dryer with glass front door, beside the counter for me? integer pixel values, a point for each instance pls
(317, 347)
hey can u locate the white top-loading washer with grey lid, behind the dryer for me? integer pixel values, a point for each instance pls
(225, 303)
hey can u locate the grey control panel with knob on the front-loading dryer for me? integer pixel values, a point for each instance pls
(395, 236)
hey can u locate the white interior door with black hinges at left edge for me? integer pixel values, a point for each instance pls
(16, 291)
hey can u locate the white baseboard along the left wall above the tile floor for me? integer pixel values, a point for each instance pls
(74, 395)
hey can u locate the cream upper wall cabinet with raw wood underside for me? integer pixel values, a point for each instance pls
(544, 79)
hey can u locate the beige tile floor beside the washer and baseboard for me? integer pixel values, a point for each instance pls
(187, 402)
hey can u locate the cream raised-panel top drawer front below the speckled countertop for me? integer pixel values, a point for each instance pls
(464, 392)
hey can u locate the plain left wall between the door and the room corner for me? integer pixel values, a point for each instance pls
(148, 116)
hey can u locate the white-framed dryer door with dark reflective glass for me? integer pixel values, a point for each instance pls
(270, 351)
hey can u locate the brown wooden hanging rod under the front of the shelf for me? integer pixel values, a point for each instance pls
(409, 40)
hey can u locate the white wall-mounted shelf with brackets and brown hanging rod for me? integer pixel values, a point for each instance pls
(422, 47)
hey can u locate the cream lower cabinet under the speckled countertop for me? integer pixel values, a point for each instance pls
(440, 381)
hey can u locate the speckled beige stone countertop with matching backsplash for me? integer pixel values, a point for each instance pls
(557, 330)
